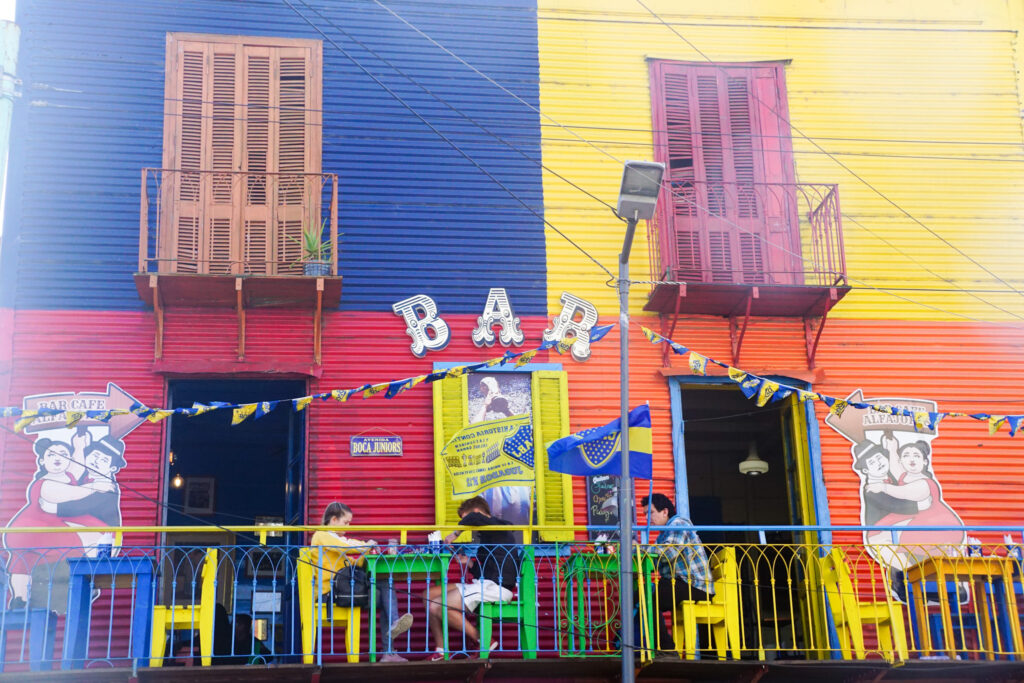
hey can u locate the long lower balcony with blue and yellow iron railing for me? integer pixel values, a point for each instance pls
(802, 607)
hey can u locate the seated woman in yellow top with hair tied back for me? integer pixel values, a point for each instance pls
(333, 551)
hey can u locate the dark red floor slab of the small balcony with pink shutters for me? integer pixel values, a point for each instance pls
(729, 300)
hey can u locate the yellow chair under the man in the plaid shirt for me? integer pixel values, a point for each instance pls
(721, 613)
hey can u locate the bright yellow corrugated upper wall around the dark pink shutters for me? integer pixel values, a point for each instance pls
(922, 100)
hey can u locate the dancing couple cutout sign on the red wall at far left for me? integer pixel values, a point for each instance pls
(75, 484)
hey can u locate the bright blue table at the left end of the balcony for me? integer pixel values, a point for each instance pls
(135, 573)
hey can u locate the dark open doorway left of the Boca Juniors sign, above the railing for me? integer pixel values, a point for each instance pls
(235, 476)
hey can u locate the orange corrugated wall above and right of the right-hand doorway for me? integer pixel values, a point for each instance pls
(963, 367)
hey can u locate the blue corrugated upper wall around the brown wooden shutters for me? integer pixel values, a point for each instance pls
(417, 217)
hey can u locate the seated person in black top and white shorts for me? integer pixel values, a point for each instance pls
(495, 571)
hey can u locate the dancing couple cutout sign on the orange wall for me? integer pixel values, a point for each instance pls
(900, 486)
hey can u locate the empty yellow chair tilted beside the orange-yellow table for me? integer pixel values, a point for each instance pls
(850, 615)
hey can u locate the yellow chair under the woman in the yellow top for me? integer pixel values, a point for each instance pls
(308, 573)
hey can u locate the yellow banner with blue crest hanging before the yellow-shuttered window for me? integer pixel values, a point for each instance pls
(496, 453)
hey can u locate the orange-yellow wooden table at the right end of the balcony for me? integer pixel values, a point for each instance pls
(995, 572)
